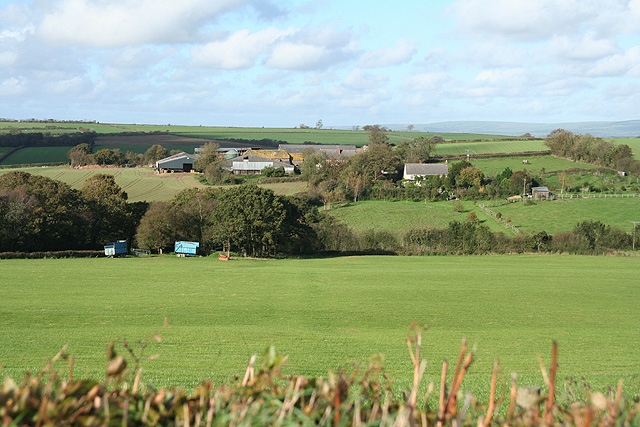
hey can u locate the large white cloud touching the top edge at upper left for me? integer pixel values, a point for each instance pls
(106, 24)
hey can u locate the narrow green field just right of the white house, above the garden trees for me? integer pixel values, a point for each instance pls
(493, 166)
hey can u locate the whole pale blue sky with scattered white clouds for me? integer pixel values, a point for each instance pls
(283, 63)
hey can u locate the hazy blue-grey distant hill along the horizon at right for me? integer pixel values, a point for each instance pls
(622, 129)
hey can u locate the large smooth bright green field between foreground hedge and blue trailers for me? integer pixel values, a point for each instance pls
(325, 313)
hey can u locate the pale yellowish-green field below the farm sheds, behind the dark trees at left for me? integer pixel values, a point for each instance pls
(142, 183)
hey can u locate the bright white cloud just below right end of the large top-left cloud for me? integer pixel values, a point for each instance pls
(240, 50)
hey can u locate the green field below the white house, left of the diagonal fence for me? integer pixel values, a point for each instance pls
(399, 216)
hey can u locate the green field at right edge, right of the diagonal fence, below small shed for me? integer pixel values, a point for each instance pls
(563, 215)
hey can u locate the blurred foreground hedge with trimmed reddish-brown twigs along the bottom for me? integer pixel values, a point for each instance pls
(264, 396)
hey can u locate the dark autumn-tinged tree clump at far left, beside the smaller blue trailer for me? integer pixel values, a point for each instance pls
(42, 214)
